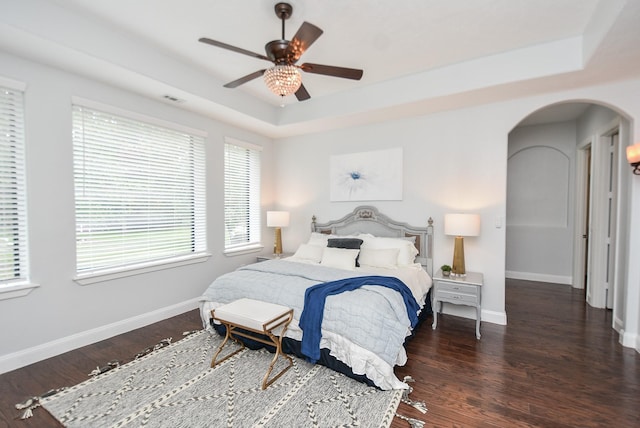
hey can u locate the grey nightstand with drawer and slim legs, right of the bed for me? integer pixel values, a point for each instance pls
(459, 290)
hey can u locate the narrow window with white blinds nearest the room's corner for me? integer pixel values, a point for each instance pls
(241, 195)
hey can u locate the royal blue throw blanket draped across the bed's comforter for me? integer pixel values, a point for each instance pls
(315, 297)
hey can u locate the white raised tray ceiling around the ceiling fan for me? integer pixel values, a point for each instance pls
(418, 55)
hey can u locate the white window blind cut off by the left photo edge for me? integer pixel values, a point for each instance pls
(13, 217)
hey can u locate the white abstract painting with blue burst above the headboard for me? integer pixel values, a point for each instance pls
(367, 176)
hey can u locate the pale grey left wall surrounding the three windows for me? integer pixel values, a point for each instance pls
(61, 313)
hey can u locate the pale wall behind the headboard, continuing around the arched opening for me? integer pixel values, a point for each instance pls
(453, 161)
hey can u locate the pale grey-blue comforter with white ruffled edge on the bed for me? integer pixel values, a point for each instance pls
(364, 328)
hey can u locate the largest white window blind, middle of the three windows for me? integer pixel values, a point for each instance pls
(139, 192)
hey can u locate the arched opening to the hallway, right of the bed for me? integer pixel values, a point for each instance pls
(562, 199)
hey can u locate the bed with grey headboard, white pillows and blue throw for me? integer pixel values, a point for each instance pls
(363, 323)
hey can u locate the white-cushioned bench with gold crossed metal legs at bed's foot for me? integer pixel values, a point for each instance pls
(254, 320)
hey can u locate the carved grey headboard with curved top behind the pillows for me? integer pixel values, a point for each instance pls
(367, 219)
